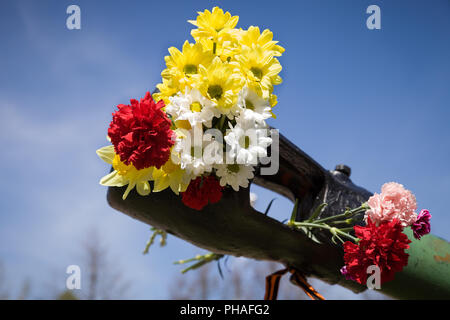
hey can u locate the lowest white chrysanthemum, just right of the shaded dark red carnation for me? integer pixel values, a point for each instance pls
(235, 175)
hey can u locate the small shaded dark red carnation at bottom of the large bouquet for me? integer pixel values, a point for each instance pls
(201, 191)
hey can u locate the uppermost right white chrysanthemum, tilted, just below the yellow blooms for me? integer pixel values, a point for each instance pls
(249, 100)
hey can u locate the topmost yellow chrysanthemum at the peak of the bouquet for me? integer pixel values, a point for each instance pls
(213, 24)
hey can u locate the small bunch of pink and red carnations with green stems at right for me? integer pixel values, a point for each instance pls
(382, 241)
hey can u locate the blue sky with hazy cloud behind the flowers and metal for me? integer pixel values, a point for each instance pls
(376, 100)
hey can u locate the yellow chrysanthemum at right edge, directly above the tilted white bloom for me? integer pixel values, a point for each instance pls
(260, 68)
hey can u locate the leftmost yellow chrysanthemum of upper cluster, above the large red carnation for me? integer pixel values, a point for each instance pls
(183, 65)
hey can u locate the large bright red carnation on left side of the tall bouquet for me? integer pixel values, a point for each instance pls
(141, 133)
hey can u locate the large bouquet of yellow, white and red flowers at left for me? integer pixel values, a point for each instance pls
(205, 129)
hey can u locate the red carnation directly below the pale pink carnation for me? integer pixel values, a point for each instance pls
(383, 246)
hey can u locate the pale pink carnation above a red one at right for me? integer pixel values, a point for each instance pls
(394, 202)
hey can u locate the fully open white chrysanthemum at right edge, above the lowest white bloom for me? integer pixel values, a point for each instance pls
(246, 141)
